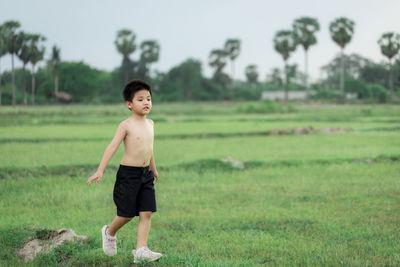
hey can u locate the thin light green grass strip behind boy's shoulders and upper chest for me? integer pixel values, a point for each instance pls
(168, 129)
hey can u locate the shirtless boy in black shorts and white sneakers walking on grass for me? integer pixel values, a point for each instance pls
(134, 193)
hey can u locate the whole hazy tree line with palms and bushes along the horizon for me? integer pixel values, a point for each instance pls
(76, 81)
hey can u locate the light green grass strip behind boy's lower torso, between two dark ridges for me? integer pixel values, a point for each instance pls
(174, 151)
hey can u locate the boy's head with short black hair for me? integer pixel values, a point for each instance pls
(137, 96)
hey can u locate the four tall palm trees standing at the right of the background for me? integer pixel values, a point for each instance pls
(341, 30)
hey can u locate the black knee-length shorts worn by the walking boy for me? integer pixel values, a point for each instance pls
(134, 191)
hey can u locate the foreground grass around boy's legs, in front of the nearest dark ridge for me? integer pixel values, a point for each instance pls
(307, 215)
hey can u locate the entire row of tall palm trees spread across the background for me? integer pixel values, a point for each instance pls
(30, 50)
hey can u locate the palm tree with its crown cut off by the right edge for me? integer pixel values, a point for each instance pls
(390, 46)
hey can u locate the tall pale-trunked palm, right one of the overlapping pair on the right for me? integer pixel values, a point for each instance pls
(304, 29)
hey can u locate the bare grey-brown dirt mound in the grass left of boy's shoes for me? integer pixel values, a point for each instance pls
(46, 239)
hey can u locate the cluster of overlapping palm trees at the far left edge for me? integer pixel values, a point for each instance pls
(29, 49)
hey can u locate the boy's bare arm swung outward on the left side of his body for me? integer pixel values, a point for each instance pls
(109, 152)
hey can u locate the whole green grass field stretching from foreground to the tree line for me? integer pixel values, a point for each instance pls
(318, 199)
